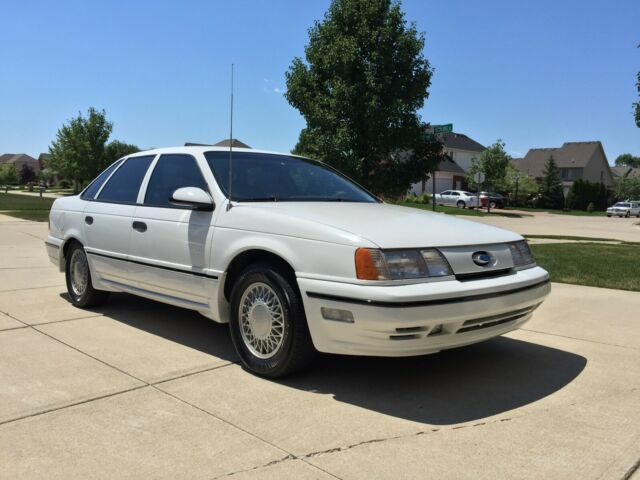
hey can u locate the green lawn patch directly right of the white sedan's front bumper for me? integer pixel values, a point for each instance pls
(591, 264)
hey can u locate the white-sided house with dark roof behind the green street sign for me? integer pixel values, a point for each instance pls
(459, 152)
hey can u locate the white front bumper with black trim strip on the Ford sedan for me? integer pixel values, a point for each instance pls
(423, 318)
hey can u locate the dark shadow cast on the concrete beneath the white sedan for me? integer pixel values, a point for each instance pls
(450, 387)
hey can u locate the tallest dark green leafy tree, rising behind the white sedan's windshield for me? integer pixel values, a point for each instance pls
(364, 79)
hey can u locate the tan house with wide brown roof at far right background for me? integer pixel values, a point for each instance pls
(576, 160)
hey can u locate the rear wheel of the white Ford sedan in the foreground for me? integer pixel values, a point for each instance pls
(78, 276)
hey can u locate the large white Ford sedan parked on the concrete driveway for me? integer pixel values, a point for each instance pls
(303, 261)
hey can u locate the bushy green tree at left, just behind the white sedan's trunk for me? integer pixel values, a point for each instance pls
(78, 152)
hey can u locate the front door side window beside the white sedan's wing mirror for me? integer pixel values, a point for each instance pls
(170, 173)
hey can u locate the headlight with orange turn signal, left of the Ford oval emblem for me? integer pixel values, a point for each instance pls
(373, 264)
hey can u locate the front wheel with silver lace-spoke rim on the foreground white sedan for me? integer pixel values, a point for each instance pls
(268, 324)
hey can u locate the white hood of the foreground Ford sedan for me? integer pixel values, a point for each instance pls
(387, 226)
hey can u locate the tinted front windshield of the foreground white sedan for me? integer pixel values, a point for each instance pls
(260, 177)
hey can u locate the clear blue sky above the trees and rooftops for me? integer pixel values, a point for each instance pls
(535, 74)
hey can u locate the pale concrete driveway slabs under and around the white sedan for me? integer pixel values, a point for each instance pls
(142, 390)
